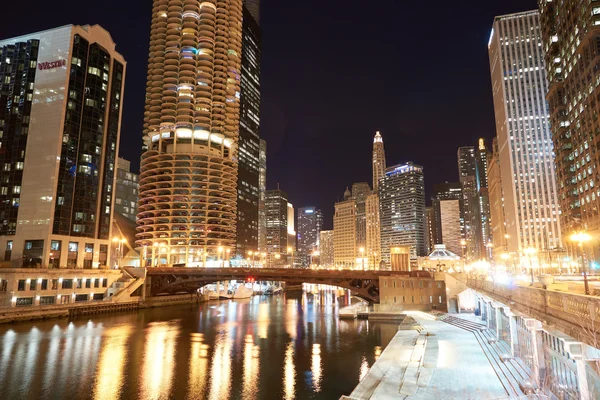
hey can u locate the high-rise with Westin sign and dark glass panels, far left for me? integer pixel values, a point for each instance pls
(60, 115)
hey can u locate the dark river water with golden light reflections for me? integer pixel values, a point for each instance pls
(281, 347)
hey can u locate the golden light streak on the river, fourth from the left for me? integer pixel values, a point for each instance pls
(220, 379)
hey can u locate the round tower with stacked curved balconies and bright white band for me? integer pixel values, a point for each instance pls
(187, 199)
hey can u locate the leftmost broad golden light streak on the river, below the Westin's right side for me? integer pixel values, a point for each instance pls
(112, 359)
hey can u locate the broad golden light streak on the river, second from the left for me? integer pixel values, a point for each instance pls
(159, 360)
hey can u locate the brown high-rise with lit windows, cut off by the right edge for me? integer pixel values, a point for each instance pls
(570, 31)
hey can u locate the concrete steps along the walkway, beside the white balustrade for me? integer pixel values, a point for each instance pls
(512, 371)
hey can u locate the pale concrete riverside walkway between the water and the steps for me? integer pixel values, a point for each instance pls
(462, 370)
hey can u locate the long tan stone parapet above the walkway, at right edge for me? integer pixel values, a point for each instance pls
(577, 315)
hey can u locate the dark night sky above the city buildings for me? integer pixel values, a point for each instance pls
(333, 72)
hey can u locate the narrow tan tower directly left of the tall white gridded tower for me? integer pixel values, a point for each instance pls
(496, 198)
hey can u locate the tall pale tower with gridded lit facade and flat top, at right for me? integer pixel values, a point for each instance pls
(526, 157)
